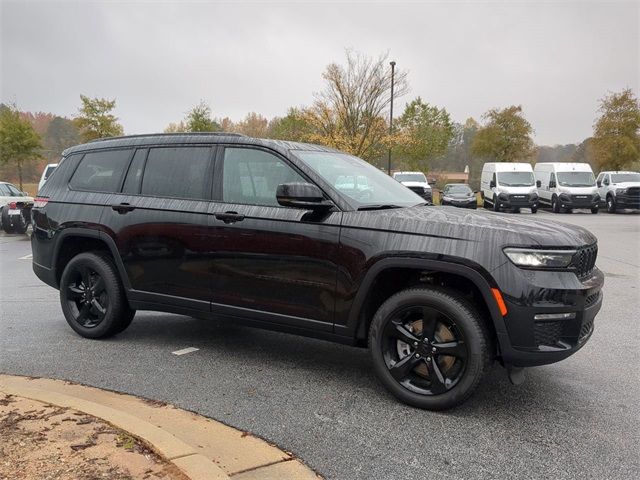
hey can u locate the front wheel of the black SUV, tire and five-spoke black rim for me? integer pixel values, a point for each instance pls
(454, 323)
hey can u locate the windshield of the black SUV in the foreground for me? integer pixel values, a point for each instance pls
(358, 180)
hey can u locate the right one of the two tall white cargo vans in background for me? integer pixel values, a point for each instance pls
(565, 186)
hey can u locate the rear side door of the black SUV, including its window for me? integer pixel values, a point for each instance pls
(159, 224)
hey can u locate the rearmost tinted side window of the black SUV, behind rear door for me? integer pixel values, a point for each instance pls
(100, 171)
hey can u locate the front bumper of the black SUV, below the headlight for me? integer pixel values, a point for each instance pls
(529, 341)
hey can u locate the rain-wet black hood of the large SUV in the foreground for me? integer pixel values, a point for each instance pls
(475, 226)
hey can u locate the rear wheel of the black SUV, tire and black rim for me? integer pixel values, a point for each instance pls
(100, 311)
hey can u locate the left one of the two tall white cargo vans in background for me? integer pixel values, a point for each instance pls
(508, 186)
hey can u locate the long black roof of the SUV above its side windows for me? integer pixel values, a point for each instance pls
(155, 139)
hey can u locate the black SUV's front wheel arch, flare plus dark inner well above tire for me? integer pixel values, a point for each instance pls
(361, 314)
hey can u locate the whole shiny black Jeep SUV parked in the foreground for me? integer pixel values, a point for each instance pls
(265, 233)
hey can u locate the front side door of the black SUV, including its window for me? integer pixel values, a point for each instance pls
(271, 262)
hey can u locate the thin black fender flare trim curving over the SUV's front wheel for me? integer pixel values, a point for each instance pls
(475, 274)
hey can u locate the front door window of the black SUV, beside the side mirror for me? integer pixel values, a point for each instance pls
(252, 176)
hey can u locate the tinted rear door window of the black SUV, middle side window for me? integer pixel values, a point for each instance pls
(180, 172)
